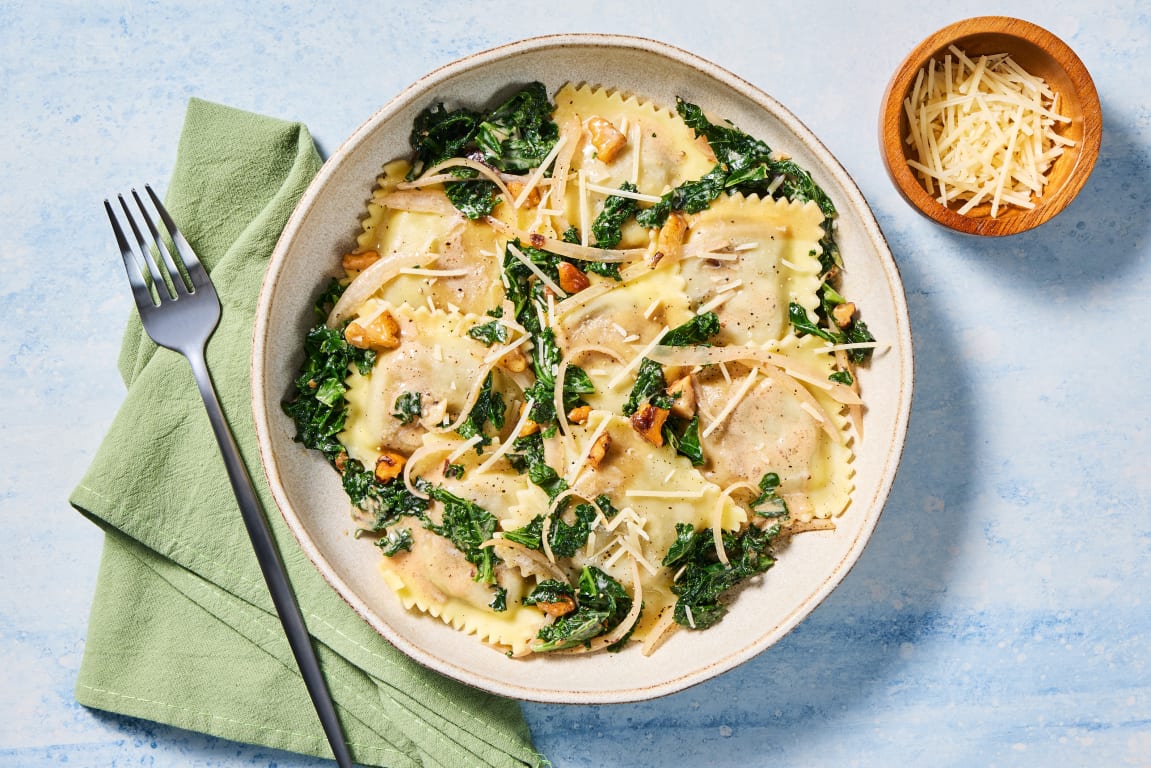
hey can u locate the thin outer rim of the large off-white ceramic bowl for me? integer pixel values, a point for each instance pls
(855, 199)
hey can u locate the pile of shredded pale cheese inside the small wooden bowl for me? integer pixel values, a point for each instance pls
(982, 132)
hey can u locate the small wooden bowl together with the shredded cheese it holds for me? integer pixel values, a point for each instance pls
(992, 126)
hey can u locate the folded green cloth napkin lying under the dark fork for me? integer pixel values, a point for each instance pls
(182, 629)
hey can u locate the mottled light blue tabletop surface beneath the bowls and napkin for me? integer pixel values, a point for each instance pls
(1001, 615)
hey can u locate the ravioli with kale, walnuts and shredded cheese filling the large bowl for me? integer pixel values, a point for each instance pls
(591, 369)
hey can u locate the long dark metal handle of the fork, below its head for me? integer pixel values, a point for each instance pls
(271, 564)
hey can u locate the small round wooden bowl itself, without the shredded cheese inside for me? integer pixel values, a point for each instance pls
(1042, 55)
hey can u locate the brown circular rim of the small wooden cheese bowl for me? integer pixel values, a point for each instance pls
(891, 113)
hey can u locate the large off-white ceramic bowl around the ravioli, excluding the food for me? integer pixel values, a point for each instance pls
(325, 226)
